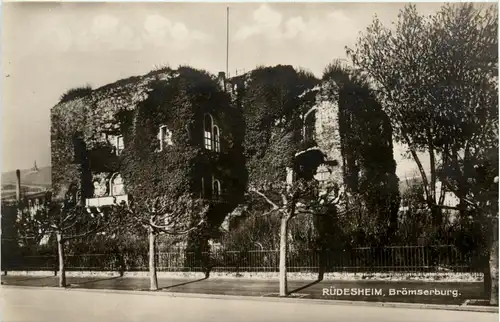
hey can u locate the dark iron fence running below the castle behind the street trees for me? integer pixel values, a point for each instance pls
(407, 259)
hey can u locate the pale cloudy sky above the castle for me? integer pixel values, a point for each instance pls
(48, 48)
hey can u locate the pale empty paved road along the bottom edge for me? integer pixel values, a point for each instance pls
(49, 305)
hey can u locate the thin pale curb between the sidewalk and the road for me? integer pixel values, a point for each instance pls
(483, 309)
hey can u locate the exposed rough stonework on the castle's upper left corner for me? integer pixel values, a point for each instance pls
(81, 120)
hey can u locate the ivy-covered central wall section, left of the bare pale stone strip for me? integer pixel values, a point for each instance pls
(273, 103)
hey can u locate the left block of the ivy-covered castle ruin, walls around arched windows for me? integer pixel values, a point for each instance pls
(86, 124)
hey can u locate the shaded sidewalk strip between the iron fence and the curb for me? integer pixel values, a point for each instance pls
(373, 291)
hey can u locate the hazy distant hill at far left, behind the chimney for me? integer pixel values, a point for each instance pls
(41, 178)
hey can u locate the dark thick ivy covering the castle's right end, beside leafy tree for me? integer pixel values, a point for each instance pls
(368, 165)
